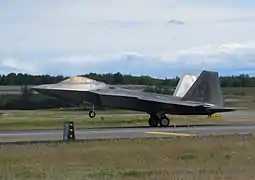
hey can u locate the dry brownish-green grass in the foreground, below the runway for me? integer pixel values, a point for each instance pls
(200, 158)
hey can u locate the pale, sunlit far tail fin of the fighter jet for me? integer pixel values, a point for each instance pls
(184, 84)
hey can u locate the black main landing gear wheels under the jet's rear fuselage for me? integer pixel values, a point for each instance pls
(158, 119)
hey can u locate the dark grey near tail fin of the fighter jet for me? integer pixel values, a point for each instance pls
(206, 89)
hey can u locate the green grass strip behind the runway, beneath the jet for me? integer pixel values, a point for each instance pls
(52, 119)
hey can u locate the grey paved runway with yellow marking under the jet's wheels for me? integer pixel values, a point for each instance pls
(126, 132)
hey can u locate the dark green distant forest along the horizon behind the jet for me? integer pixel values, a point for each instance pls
(118, 78)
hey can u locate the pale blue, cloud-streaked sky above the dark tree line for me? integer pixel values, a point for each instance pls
(159, 38)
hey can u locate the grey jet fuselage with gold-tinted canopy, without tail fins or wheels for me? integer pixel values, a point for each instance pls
(102, 94)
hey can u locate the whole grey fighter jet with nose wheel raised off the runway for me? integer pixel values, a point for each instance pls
(202, 96)
